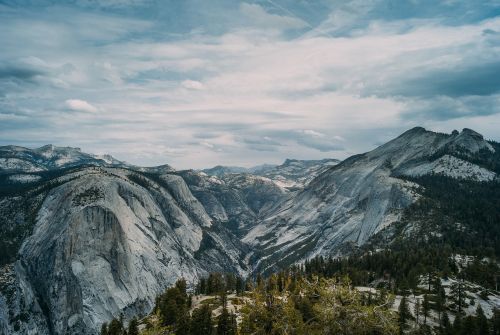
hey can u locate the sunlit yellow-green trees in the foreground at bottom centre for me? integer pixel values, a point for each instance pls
(284, 303)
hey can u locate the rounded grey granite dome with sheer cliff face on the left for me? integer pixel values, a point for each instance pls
(108, 241)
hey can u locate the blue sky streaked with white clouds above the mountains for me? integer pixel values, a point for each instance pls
(198, 83)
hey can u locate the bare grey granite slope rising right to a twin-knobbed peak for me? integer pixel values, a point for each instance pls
(350, 202)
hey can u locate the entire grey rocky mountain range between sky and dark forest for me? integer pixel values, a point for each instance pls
(84, 238)
